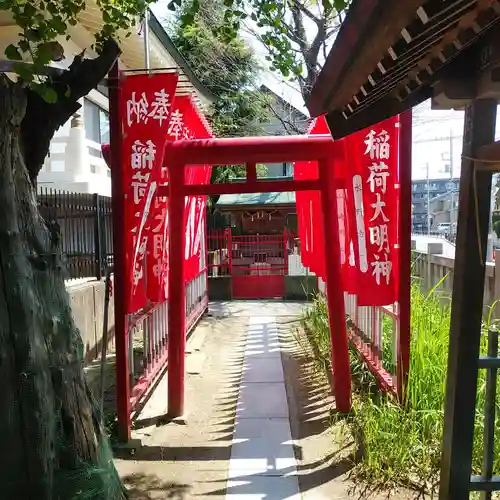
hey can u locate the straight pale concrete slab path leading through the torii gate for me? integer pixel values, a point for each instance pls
(262, 464)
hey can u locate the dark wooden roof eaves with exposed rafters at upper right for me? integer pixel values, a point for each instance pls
(390, 55)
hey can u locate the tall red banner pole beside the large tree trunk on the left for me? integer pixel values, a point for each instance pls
(120, 270)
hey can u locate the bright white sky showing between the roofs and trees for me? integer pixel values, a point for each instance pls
(432, 129)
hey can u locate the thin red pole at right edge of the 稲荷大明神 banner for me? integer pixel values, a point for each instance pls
(405, 224)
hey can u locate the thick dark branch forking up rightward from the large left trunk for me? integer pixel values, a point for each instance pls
(42, 119)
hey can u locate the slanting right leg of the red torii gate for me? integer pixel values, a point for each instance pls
(335, 290)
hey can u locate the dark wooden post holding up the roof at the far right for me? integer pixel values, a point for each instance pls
(467, 304)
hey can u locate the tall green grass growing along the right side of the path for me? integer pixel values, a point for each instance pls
(401, 443)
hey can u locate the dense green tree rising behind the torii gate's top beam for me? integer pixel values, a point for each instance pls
(225, 65)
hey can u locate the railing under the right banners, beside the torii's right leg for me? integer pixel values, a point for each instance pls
(374, 331)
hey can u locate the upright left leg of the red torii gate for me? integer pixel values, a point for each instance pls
(177, 292)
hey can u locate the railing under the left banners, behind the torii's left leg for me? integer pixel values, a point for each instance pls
(148, 337)
